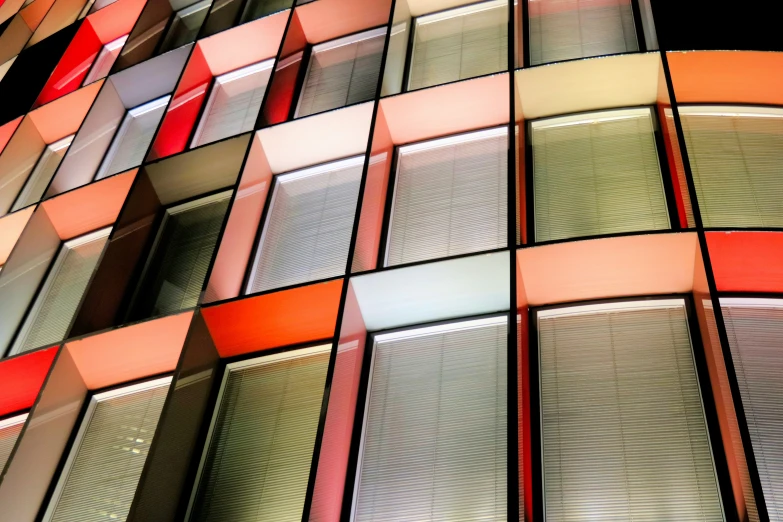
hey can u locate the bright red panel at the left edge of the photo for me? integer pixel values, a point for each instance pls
(21, 378)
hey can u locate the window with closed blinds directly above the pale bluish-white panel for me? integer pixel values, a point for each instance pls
(450, 197)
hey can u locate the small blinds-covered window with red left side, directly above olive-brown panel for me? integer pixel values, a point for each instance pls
(234, 103)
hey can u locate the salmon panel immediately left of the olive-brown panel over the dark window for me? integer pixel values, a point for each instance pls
(88, 208)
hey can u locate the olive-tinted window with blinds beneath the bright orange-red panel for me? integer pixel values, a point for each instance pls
(257, 463)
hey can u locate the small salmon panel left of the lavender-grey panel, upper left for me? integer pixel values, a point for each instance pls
(63, 117)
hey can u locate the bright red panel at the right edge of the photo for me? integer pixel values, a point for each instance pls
(747, 261)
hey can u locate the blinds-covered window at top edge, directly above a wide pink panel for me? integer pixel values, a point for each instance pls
(459, 43)
